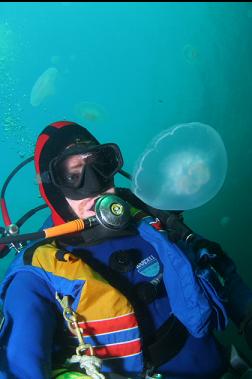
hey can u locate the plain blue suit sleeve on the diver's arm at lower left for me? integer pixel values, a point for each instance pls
(26, 338)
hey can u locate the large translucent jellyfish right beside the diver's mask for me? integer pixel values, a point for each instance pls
(183, 168)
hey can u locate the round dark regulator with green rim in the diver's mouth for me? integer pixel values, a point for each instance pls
(112, 212)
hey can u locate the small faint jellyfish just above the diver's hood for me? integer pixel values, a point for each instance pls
(87, 111)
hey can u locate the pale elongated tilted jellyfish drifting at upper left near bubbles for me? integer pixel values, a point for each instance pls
(44, 86)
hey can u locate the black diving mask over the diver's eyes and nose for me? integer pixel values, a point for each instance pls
(80, 172)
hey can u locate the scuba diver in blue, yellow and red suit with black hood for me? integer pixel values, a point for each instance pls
(128, 295)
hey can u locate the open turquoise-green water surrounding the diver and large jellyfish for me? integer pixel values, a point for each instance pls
(127, 71)
